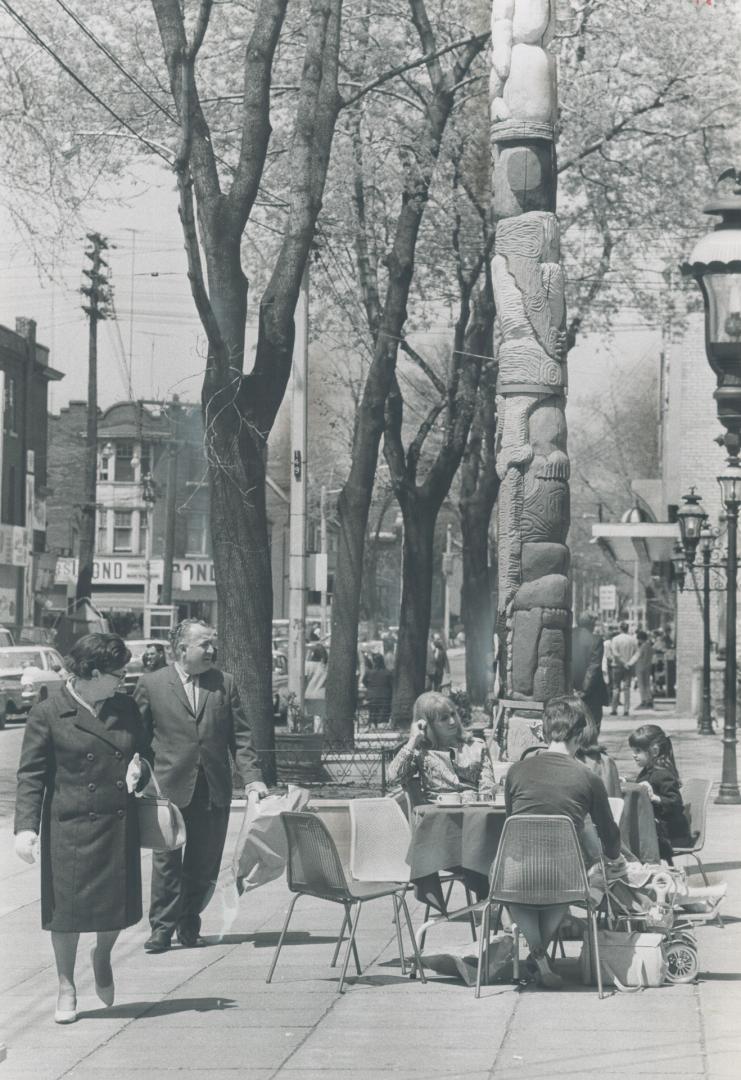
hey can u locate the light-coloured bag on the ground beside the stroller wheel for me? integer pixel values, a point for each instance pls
(630, 961)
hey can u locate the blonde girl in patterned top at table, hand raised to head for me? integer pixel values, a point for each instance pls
(441, 755)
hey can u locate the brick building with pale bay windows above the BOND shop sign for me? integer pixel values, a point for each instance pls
(136, 440)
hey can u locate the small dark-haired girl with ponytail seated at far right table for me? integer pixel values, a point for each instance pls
(654, 755)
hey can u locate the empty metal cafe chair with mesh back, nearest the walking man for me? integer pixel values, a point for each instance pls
(315, 870)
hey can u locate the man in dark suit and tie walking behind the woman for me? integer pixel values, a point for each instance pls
(194, 717)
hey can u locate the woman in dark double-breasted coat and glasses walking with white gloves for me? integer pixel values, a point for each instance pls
(79, 766)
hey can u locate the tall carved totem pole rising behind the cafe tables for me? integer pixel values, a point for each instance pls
(534, 617)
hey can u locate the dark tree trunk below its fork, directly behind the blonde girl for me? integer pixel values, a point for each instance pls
(414, 622)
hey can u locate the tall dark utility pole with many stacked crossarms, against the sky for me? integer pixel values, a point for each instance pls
(99, 296)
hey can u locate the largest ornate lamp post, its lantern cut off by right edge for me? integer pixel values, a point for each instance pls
(716, 265)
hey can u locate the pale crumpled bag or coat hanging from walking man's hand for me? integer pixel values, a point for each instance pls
(261, 853)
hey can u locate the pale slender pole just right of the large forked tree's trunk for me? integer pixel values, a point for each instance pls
(298, 515)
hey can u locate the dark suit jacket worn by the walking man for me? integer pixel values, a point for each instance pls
(182, 740)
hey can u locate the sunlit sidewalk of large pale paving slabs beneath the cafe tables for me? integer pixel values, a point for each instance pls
(208, 1014)
